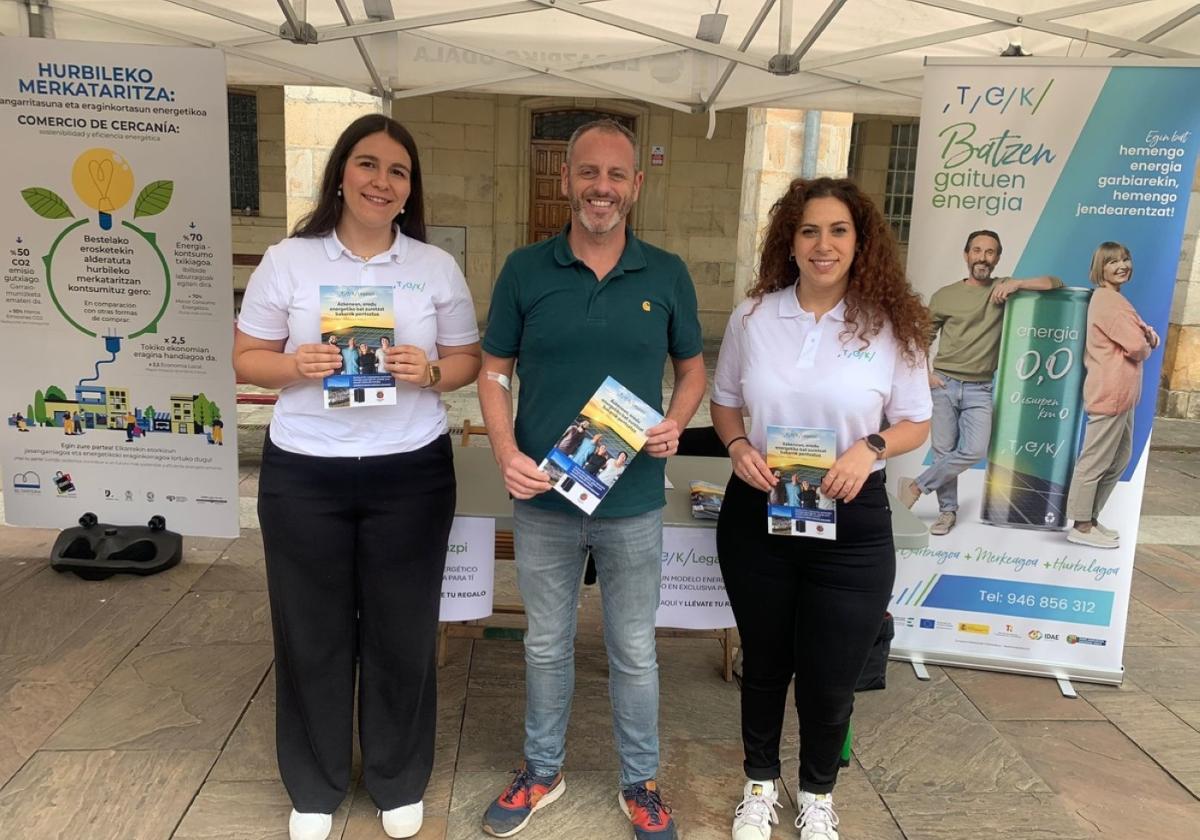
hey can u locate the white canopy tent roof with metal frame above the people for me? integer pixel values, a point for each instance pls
(691, 56)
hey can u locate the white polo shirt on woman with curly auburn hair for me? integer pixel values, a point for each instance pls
(791, 370)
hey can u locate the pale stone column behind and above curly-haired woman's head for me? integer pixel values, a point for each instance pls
(775, 155)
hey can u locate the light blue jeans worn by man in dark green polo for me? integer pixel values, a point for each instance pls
(551, 549)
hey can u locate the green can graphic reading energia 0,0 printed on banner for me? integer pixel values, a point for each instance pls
(1039, 411)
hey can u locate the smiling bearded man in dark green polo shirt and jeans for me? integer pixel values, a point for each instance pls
(593, 302)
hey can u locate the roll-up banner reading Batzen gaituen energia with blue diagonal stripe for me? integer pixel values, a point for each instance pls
(1060, 161)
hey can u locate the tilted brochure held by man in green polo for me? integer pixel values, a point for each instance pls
(595, 451)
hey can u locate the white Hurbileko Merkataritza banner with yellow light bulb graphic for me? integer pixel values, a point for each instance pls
(117, 293)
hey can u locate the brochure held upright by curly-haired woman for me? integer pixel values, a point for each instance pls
(801, 458)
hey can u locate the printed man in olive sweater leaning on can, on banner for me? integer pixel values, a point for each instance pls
(970, 316)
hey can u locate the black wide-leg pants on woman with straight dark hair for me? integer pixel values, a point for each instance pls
(356, 551)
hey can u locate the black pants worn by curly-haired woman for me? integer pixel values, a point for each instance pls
(807, 608)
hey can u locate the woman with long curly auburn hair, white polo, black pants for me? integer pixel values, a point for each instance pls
(832, 337)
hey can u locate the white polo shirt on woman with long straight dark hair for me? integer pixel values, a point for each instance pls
(431, 304)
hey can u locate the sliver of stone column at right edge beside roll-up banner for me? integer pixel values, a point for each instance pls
(1180, 393)
